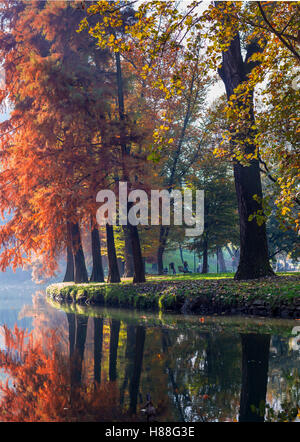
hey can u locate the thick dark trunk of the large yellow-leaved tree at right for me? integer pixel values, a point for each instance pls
(254, 261)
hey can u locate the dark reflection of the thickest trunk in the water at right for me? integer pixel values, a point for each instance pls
(255, 363)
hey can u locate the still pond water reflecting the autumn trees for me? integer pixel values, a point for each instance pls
(90, 364)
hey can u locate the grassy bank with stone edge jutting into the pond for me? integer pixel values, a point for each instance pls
(213, 293)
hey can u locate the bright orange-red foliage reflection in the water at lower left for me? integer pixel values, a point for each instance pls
(42, 388)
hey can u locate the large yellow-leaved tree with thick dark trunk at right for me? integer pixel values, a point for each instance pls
(221, 24)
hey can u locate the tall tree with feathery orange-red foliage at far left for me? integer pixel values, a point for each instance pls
(59, 110)
